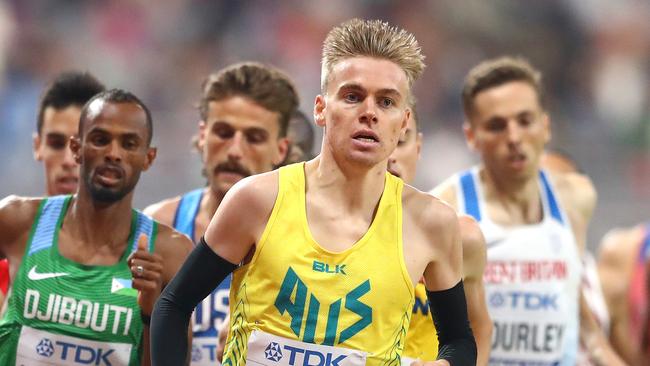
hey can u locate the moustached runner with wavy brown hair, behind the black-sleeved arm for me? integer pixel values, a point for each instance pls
(245, 110)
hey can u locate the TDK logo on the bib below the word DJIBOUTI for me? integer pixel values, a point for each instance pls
(75, 352)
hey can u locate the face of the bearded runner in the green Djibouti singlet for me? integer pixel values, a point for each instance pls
(113, 150)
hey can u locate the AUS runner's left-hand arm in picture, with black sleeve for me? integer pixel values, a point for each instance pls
(226, 244)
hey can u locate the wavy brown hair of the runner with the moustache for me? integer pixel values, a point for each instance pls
(262, 84)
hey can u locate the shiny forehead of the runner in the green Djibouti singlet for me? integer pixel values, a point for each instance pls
(125, 117)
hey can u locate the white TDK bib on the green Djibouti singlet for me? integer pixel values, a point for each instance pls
(37, 347)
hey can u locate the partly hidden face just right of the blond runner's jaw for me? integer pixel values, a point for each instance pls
(403, 161)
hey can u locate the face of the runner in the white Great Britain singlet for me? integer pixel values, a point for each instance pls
(509, 129)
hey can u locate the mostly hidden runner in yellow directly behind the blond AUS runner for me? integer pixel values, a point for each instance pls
(421, 340)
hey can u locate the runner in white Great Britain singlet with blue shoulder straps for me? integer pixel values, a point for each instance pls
(534, 222)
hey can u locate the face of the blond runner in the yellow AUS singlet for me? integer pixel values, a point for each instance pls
(364, 109)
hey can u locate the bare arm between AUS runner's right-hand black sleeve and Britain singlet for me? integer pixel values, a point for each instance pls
(474, 259)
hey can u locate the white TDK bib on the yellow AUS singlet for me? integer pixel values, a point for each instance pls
(266, 349)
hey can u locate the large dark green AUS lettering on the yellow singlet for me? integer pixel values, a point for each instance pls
(298, 306)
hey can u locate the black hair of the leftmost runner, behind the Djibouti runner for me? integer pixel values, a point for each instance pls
(71, 88)
